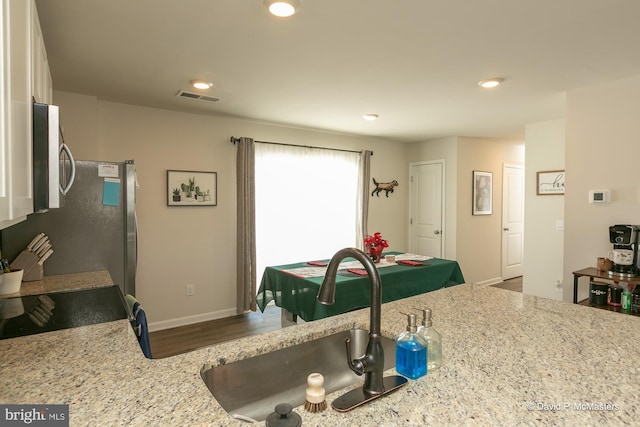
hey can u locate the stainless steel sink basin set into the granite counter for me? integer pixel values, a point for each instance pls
(253, 387)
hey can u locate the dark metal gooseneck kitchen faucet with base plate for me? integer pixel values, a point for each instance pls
(372, 363)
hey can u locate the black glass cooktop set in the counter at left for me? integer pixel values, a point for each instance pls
(35, 314)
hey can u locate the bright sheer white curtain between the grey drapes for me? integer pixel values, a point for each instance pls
(306, 203)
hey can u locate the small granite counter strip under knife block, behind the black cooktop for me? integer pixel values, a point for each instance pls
(64, 282)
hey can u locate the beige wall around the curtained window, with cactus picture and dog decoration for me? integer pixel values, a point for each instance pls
(196, 245)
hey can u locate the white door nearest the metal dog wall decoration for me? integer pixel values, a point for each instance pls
(426, 223)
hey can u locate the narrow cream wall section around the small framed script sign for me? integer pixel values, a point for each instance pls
(543, 243)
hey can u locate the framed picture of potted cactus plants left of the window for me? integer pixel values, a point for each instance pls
(192, 188)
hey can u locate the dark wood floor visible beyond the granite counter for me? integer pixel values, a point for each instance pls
(170, 342)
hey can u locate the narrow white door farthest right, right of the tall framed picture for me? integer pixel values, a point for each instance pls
(512, 221)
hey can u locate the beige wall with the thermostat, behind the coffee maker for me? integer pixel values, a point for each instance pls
(602, 152)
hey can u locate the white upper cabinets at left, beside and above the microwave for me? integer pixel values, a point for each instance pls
(25, 75)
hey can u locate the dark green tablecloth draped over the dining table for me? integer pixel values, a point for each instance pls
(298, 295)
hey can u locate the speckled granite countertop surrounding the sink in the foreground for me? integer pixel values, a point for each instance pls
(509, 359)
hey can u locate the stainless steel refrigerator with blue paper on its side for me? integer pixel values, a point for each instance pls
(95, 229)
